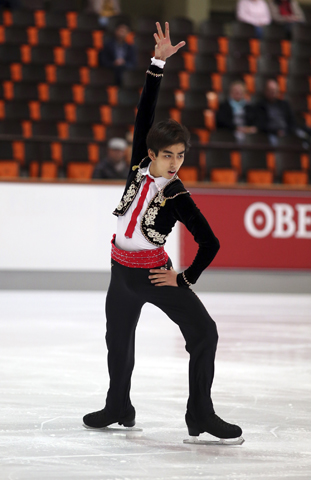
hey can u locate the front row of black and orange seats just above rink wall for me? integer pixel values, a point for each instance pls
(56, 159)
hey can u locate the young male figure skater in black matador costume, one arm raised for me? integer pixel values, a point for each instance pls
(153, 200)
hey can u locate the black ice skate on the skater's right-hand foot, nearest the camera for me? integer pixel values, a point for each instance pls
(227, 433)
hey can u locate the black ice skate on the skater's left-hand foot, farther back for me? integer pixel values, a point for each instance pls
(102, 419)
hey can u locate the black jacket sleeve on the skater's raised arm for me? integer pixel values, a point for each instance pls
(145, 113)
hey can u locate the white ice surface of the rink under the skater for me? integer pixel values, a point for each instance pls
(53, 371)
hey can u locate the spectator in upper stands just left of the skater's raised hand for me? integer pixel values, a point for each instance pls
(118, 54)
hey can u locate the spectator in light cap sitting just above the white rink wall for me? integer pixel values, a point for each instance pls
(114, 165)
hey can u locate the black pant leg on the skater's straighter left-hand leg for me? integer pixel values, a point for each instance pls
(123, 309)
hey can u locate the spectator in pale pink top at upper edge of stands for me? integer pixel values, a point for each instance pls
(254, 12)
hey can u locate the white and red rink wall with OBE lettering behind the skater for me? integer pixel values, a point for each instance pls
(50, 230)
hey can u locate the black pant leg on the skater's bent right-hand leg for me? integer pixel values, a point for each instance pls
(200, 333)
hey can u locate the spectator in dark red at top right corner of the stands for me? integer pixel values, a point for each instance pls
(286, 12)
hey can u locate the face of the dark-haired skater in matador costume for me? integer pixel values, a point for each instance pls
(168, 161)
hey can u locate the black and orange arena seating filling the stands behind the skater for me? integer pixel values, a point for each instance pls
(58, 107)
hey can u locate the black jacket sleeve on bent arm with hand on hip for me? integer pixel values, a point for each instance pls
(187, 212)
